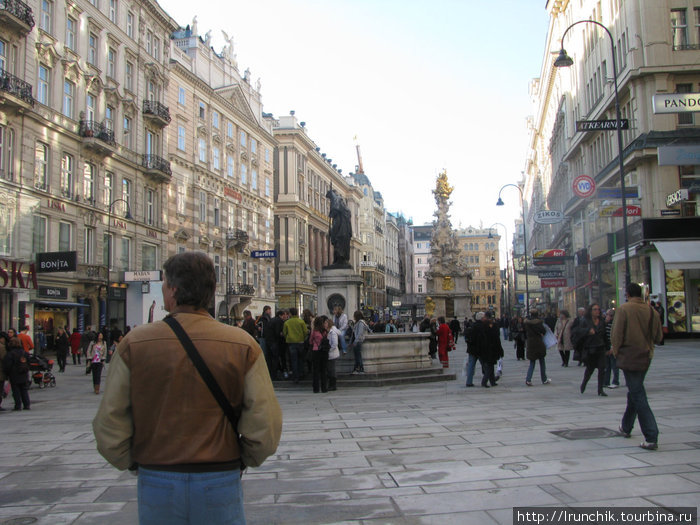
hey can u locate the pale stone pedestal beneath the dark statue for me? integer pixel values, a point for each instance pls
(338, 286)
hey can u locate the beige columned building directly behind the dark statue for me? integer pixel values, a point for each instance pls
(303, 174)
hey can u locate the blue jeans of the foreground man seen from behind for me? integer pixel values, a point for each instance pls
(176, 498)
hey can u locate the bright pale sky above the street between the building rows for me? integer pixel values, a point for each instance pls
(424, 85)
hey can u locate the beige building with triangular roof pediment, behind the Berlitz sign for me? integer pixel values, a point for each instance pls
(221, 192)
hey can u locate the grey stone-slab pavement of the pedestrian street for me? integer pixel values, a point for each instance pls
(415, 454)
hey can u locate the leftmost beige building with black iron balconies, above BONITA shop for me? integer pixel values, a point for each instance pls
(77, 168)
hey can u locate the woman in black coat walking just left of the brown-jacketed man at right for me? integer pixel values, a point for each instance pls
(595, 345)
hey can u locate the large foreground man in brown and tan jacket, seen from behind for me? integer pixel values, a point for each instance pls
(158, 415)
